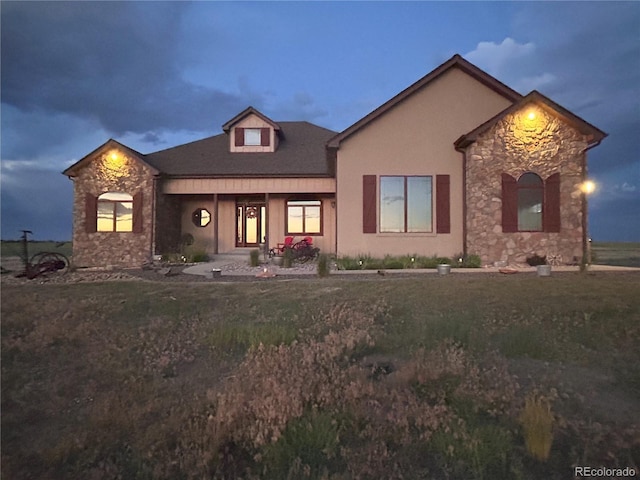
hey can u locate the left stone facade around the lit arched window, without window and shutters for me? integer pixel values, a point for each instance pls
(112, 171)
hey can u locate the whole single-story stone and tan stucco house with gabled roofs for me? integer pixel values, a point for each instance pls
(456, 163)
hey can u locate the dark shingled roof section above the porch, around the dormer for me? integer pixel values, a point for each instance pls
(301, 152)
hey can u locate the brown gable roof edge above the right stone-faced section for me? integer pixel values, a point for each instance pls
(595, 134)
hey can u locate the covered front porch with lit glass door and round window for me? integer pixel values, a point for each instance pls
(219, 216)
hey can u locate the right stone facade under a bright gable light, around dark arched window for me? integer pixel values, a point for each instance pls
(528, 140)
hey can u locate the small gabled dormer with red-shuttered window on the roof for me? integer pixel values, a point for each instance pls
(251, 132)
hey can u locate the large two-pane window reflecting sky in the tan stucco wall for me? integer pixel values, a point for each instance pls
(405, 204)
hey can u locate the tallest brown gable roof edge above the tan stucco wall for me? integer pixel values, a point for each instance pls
(454, 62)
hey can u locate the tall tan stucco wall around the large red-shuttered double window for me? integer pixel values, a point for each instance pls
(413, 138)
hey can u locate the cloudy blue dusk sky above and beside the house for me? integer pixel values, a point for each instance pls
(153, 75)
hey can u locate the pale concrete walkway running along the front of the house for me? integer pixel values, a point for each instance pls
(238, 265)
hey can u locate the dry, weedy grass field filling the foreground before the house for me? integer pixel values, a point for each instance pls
(126, 378)
